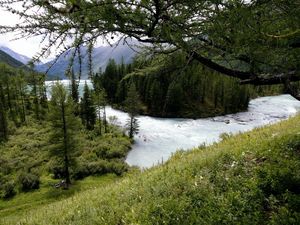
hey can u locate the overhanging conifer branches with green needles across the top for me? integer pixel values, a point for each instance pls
(261, 36)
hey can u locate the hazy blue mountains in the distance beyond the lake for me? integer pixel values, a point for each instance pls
(100, 56)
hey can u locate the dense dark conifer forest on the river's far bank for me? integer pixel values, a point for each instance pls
(169, 87)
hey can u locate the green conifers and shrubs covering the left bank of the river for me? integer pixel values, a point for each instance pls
(57, 138)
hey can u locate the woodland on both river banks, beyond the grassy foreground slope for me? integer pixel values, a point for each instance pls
(43, 122)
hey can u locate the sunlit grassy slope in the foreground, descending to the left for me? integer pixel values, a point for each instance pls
(251, 178)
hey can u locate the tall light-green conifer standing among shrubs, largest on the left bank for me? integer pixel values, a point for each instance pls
(64, 125)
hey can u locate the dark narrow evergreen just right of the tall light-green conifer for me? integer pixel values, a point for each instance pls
(87, 109)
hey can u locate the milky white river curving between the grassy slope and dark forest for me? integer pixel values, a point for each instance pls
(159, 138)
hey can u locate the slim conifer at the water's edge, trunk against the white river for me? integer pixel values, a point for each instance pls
(132, 106)
